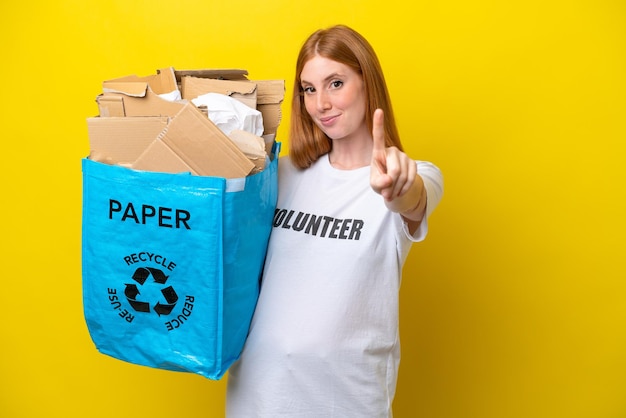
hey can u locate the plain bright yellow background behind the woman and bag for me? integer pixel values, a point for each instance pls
(515, 304)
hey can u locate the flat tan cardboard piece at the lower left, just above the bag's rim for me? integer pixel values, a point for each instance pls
(122, 140)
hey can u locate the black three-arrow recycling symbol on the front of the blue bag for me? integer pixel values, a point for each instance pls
(133, 294)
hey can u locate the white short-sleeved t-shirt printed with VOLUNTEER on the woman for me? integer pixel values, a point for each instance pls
(324, 337)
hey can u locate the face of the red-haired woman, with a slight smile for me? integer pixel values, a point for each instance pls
(334, 96)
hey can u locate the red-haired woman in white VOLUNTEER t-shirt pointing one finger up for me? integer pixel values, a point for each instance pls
(324, 338)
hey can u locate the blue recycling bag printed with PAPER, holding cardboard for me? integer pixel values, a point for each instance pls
(171, 263)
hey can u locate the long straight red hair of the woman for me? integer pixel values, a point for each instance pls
(342, 44)
